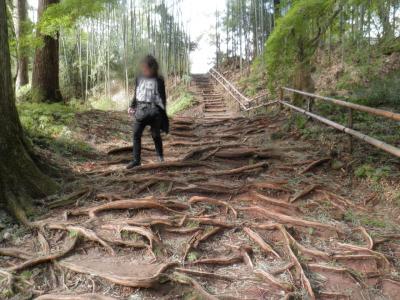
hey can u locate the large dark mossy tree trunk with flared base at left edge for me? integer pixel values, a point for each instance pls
(20, 178)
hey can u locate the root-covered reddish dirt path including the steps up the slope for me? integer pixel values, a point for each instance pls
(232, 214)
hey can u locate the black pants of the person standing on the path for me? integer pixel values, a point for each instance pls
(154, 121)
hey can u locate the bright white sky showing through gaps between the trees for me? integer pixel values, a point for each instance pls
(199, 19)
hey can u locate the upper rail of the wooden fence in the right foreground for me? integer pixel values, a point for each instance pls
(363, 108)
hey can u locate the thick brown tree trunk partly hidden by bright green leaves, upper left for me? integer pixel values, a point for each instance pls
(45, 78)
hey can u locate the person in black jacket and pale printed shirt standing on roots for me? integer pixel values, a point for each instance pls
(149, 108)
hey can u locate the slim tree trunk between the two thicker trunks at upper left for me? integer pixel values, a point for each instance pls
(21, 17)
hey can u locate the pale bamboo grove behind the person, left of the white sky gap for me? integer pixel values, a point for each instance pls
(111, 45)
